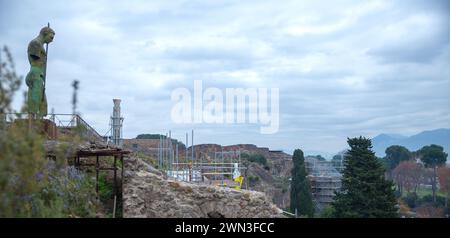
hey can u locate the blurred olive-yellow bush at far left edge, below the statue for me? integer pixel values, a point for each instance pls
(20, 161)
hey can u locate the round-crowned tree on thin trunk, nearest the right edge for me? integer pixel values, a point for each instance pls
(433, 156)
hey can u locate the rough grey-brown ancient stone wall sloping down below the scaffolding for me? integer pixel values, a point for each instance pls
(149, 193)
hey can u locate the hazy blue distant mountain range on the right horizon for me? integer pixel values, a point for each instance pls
(413, 143)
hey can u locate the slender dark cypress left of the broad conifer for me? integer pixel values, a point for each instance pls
(301, 197)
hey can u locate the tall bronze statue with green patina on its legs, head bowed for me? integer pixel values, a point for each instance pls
(35, 79)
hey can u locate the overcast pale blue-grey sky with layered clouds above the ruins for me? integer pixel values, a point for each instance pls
(344, 68)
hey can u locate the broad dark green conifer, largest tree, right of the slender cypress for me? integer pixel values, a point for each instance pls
(365, 192)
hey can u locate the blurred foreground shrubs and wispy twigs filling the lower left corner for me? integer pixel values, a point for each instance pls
(30, 184)
